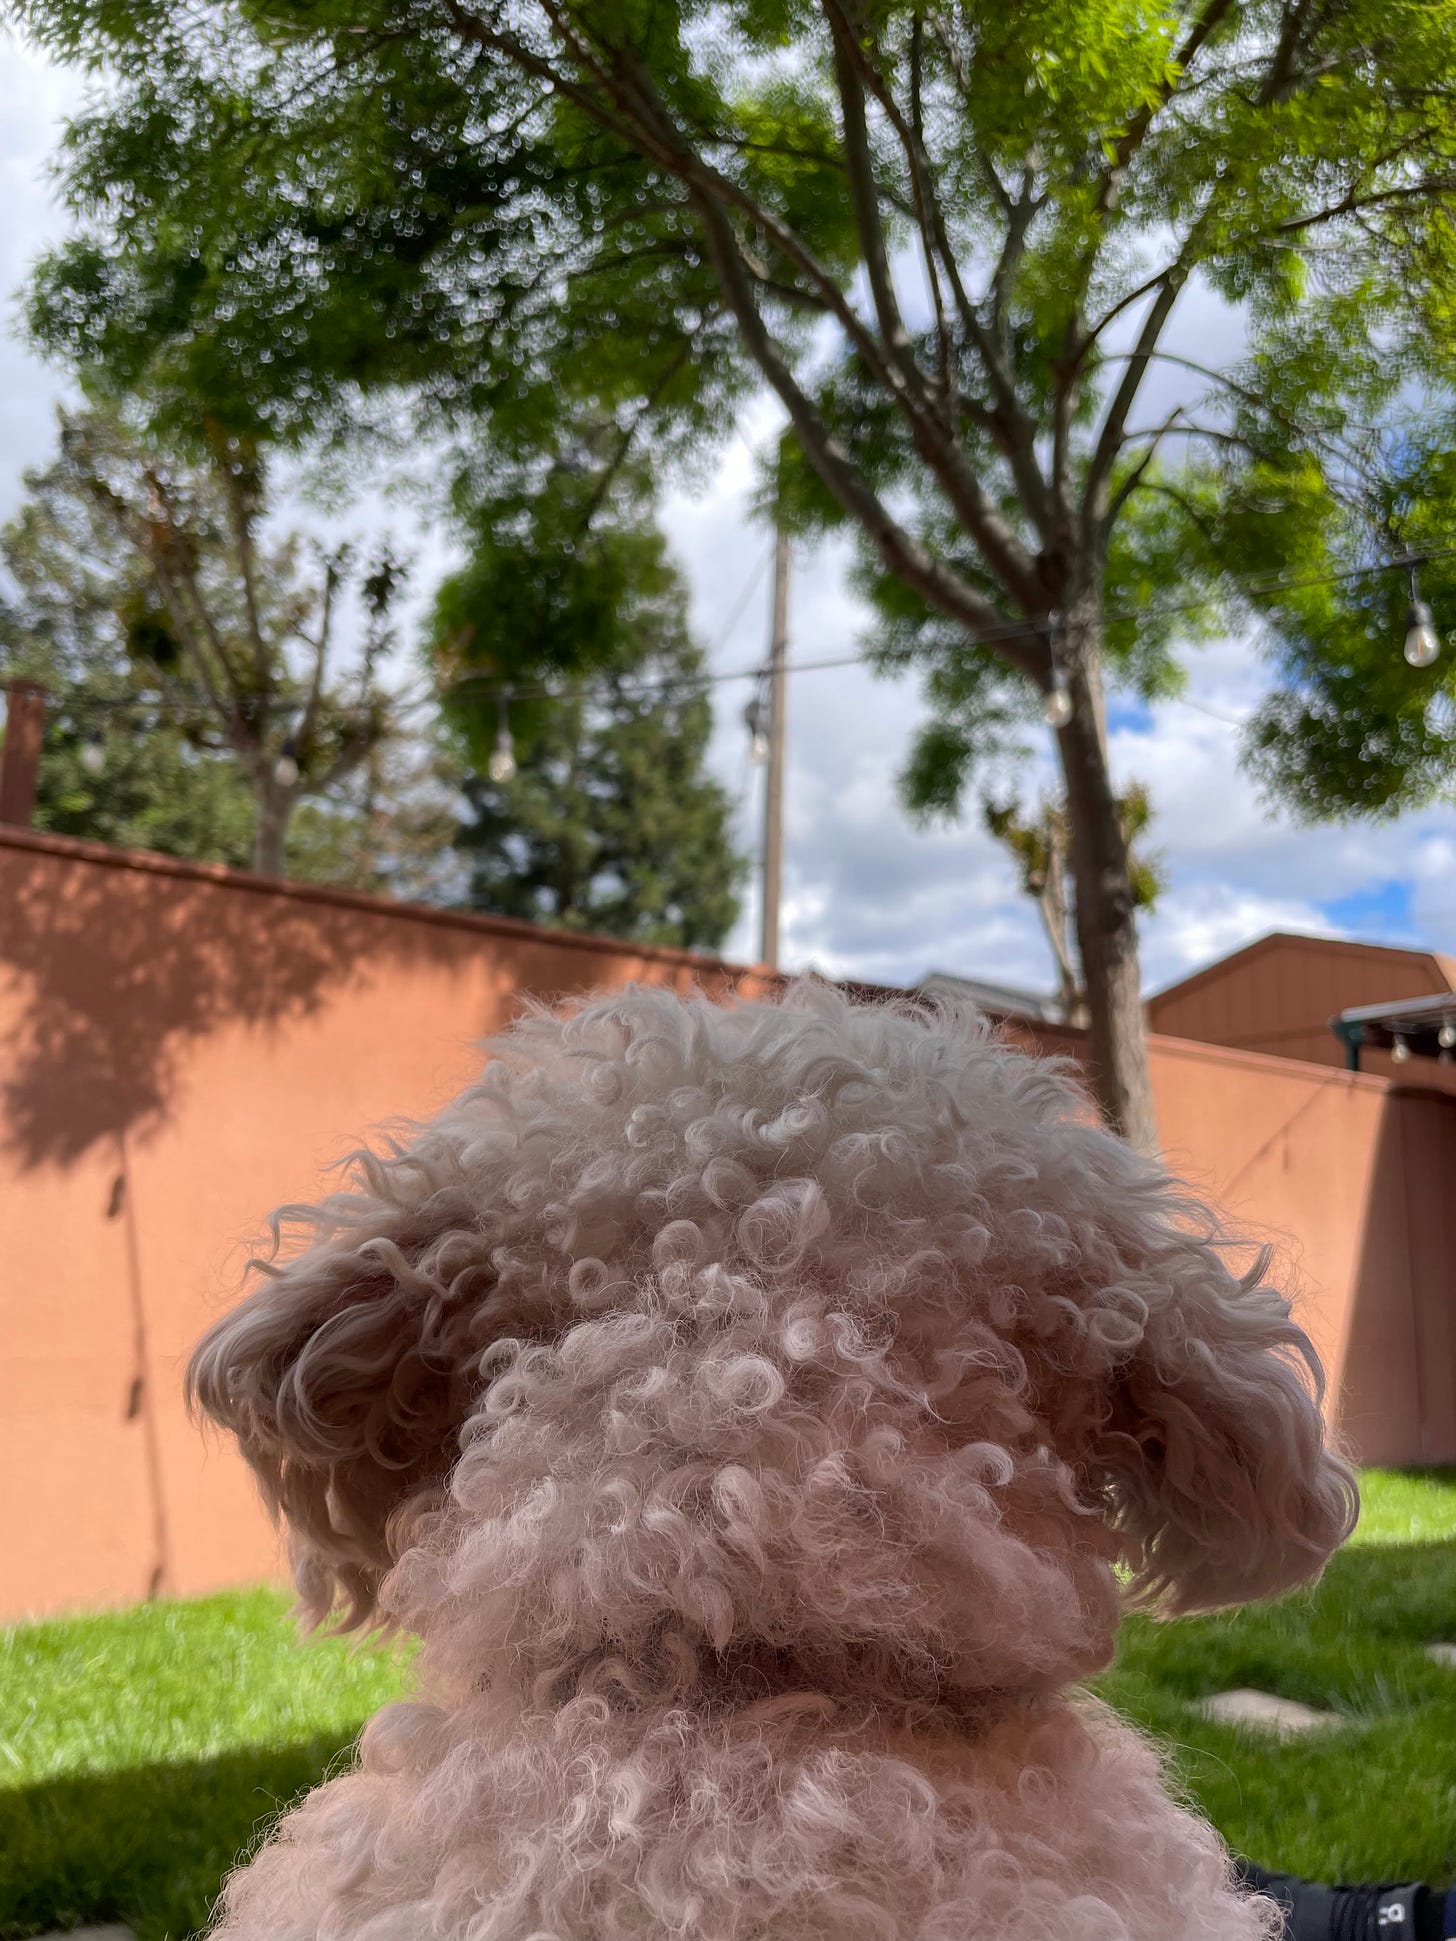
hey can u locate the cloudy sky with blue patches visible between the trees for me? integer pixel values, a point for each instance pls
(867, 894)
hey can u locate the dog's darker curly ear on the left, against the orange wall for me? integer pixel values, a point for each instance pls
(347, 1375)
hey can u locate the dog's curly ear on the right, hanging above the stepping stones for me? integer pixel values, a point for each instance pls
(1216, 1455)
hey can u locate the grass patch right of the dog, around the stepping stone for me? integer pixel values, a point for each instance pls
(1373, 1798)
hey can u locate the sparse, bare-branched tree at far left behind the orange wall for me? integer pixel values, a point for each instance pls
(191, 649)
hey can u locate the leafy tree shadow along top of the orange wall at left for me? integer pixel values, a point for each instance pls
(119, 964)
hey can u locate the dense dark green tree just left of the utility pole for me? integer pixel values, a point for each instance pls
(568, 632)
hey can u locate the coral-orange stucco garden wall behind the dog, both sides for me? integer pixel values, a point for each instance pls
(182, 1049)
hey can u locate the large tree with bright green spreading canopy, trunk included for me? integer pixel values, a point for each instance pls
(950, 238)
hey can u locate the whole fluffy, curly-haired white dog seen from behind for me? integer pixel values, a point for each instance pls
(748, 1408)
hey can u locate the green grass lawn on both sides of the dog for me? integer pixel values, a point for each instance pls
(141, 1752)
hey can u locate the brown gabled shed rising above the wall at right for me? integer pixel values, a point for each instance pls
(1280, 995)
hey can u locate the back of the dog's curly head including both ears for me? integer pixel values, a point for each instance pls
(781, 1344)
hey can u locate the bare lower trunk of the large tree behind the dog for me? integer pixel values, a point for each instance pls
(1106, 911)
